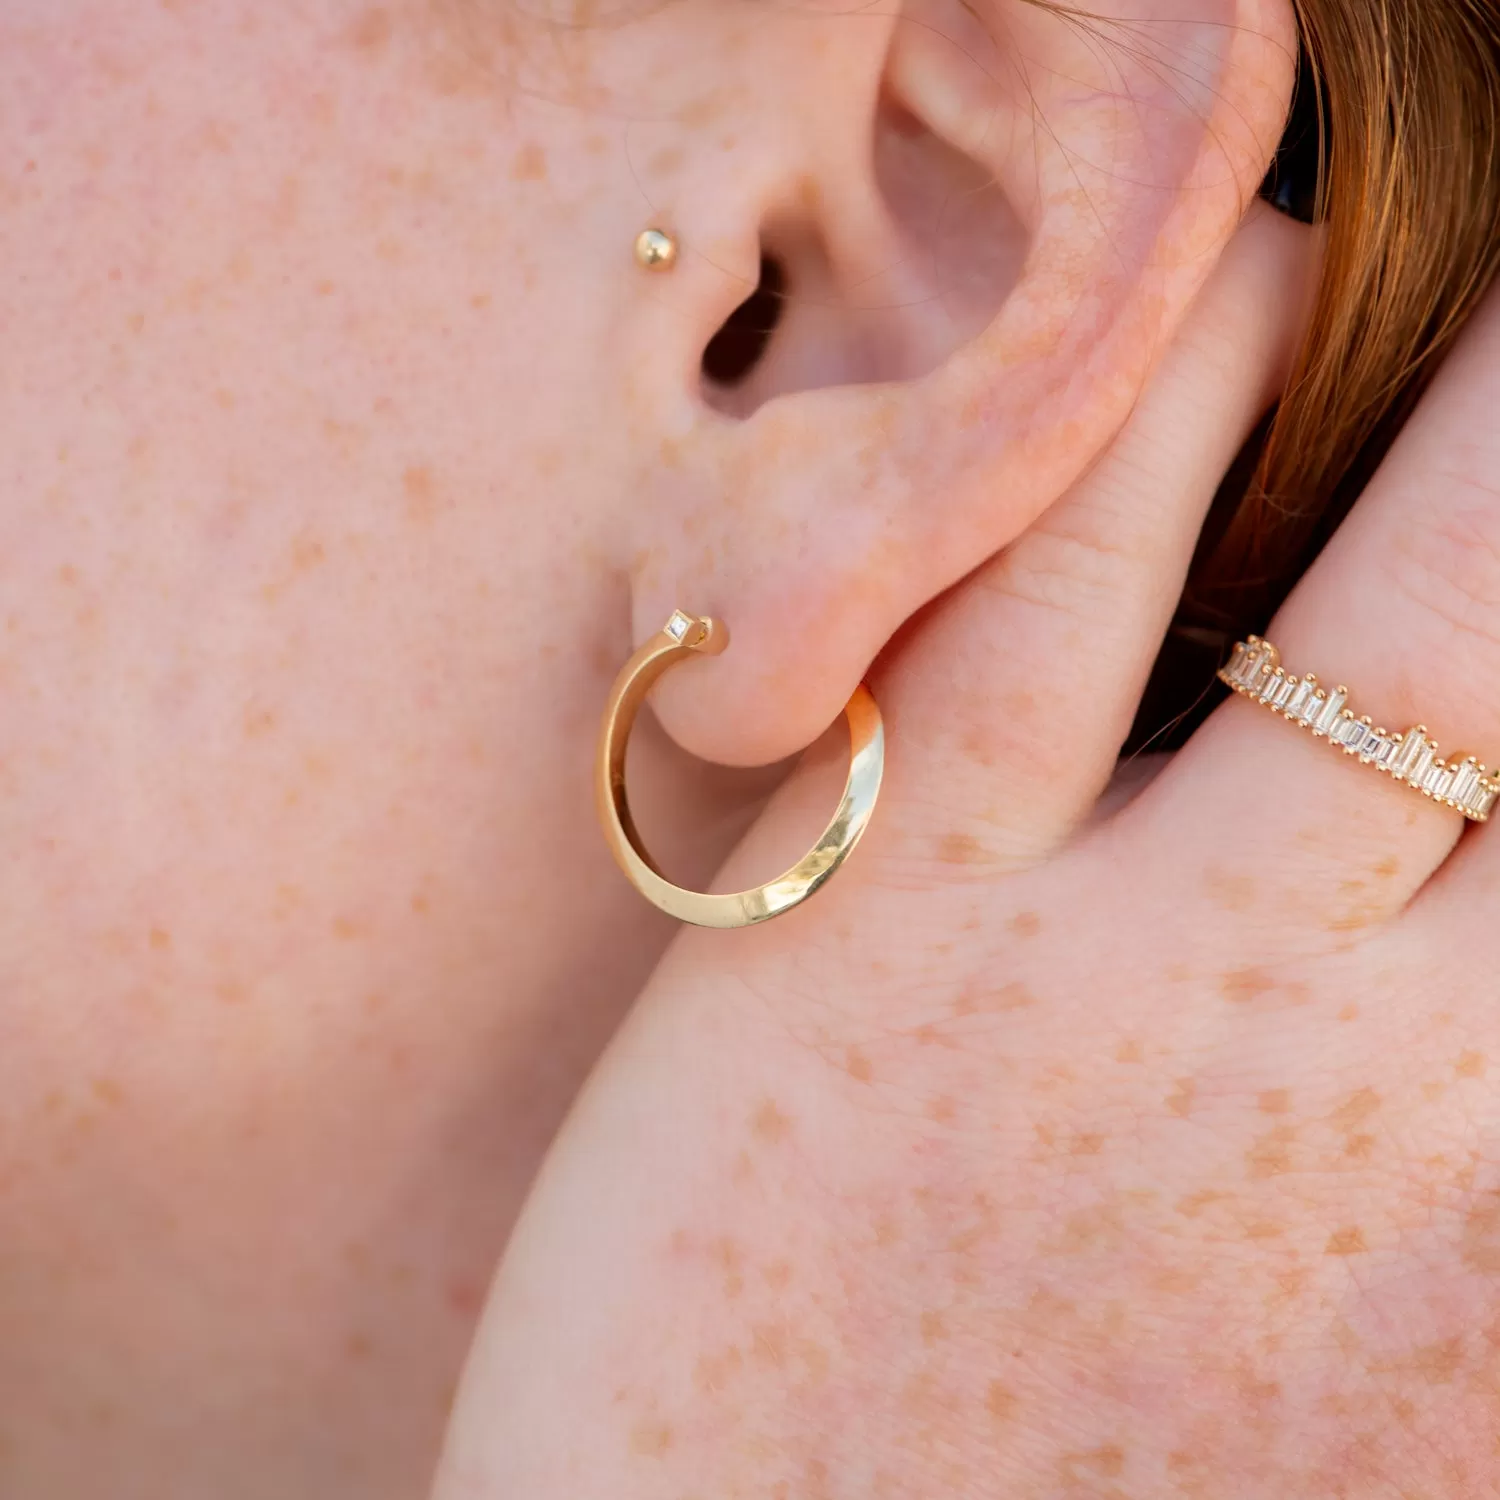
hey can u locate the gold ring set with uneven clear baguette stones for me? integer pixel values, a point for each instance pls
(1460, 782)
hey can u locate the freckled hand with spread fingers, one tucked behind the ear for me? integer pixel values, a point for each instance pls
(1052, 1154)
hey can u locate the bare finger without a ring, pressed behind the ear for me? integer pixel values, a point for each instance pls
(1013, 695)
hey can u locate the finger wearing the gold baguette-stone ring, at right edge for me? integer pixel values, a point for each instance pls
(1403, 608)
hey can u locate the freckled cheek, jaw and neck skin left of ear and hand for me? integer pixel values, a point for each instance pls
(311, 586)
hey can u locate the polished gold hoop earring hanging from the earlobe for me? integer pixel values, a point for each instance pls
(682, 638)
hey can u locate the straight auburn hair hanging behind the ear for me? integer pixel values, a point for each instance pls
(1396, 137)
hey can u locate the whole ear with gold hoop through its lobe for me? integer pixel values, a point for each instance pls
(988, 223)
